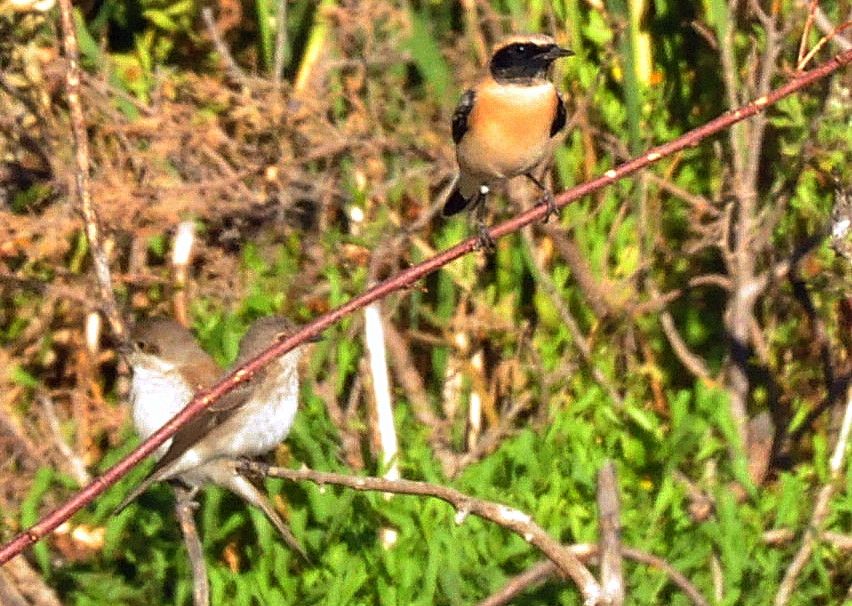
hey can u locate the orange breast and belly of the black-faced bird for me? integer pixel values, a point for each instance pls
(508, 129)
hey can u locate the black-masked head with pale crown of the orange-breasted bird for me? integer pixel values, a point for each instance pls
(525, 59)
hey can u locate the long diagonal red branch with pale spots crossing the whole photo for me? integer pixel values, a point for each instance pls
(400, 281)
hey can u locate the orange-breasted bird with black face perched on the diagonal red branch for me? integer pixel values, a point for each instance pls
(507, 124)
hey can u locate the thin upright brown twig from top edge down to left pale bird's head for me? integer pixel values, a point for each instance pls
(81, 172)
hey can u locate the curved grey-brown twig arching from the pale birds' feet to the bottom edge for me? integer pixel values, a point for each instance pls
(512, 519)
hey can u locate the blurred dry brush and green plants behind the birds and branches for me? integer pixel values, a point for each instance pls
(691, 323)
